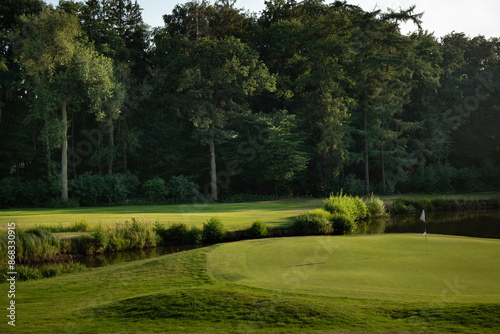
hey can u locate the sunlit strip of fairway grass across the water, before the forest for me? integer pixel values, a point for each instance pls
(234, 216)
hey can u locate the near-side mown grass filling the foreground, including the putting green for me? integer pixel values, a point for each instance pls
(199, 291)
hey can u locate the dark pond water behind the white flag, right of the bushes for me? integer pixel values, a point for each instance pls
(484, 224)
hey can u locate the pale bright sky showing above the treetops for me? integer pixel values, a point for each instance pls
(478, 17)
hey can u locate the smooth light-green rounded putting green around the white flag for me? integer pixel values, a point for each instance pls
(390, 267)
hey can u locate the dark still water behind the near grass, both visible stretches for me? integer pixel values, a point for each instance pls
(483, 224)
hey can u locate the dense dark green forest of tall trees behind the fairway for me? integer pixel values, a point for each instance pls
(304, 99)
